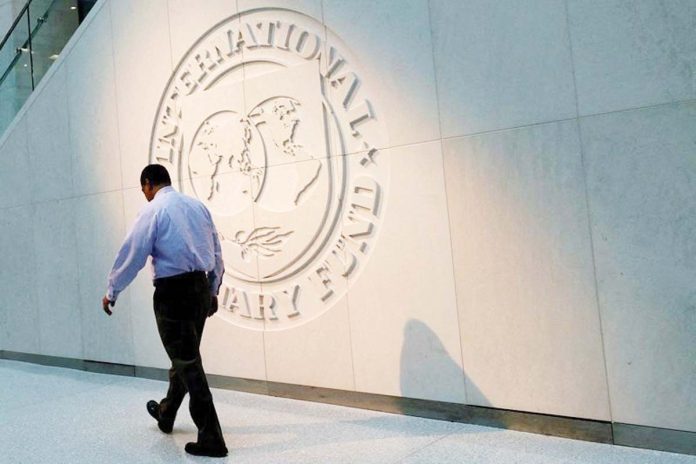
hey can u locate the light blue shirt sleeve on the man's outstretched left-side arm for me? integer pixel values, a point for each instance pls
(133, 254)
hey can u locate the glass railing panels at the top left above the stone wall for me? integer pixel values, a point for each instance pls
(33, 42)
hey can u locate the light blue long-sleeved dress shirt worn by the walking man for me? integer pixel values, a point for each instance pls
(178, 232)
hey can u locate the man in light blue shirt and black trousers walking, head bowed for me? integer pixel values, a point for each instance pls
(179, 234)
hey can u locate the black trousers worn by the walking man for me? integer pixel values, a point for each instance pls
(181, 307)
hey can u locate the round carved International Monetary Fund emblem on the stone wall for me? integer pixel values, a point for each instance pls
(267, 121)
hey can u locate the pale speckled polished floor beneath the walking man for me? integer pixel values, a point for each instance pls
(52, 415)
